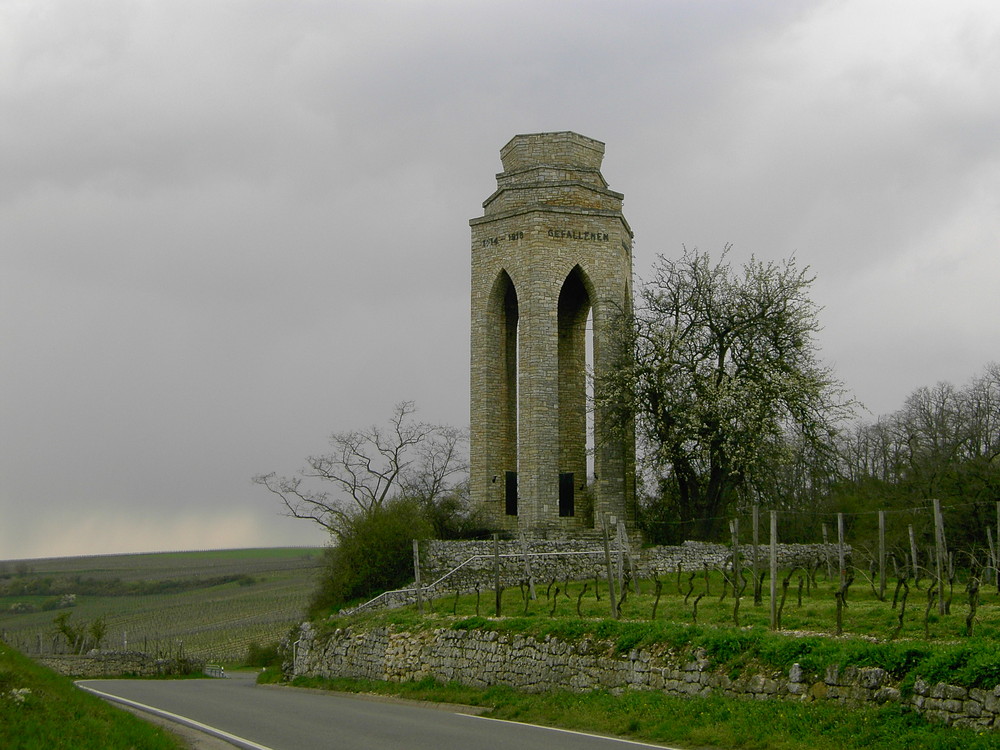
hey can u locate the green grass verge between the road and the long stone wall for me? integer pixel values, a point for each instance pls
(714, 722)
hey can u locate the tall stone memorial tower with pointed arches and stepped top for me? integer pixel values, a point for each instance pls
(551, 268)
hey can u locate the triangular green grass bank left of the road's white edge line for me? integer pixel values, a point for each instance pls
(40, 710)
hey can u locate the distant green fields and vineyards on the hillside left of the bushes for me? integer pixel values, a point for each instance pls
(208, 604)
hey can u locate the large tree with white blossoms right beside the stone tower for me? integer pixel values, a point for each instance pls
(722, 369)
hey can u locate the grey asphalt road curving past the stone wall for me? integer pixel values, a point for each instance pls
(290, 719)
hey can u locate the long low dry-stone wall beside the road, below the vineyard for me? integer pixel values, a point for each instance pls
(483, 658)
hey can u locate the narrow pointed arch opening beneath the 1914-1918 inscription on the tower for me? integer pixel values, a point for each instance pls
(506, 307)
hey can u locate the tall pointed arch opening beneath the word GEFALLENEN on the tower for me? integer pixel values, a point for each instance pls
(574, 314)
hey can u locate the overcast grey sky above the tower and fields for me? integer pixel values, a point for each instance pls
(228, 229)
